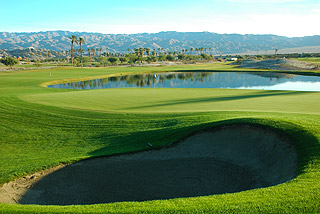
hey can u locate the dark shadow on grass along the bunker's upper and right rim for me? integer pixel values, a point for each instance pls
(308, 145)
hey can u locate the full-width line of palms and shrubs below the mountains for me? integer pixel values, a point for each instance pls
(98, 57)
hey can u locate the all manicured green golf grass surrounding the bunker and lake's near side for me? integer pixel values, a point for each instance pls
(42, 127)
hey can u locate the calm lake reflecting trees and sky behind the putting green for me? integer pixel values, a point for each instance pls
(233, 80)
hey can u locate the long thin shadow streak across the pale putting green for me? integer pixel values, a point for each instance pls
(220, 99)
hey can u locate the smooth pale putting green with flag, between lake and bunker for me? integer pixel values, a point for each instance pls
(181, 100)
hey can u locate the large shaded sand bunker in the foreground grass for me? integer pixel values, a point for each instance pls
(224, 160)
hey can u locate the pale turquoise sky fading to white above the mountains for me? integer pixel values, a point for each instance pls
(291, 18)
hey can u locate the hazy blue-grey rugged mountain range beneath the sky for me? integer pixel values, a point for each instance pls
(169, 41)
